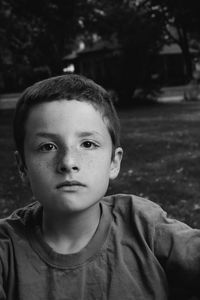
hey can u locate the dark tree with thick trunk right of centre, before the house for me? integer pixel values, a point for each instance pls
(139, 34)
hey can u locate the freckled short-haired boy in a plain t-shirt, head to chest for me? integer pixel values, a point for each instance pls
(74, 243)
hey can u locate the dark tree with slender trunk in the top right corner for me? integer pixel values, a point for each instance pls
(184, 16)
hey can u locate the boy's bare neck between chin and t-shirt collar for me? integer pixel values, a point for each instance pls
(69, 234)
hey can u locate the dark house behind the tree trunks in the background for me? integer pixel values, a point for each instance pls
(102, 62)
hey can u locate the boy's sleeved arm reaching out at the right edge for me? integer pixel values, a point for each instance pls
(177, 247)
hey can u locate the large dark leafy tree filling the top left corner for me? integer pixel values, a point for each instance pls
(38, 33)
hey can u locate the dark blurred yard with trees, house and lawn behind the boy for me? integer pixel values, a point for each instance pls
(146, 54)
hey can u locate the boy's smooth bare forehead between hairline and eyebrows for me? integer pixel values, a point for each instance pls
(58, 113)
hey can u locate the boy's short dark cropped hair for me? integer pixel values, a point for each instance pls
(65, 87)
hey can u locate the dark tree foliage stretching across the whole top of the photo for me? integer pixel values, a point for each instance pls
(36, 34)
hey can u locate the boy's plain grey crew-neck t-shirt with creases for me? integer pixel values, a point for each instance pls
(135, 253)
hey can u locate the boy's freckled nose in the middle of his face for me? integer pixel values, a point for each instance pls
(67, 162)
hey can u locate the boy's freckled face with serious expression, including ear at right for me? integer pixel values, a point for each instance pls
(68, 153)
